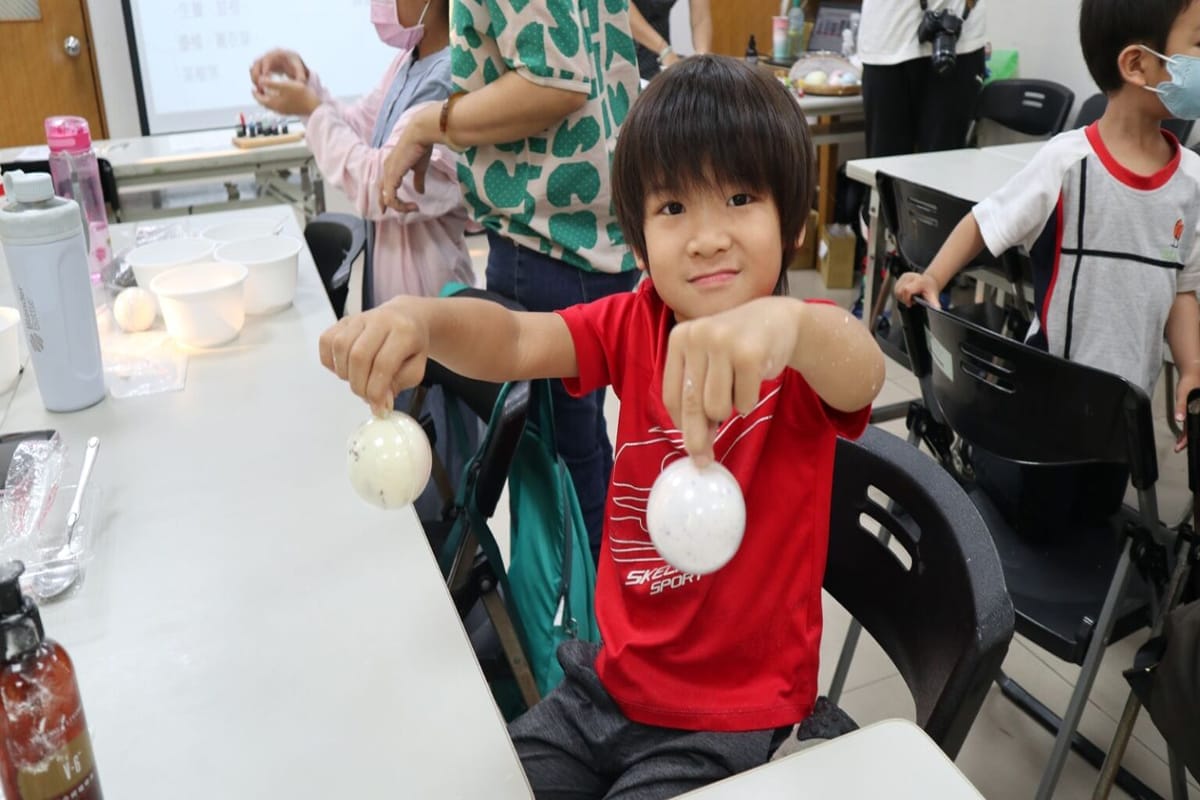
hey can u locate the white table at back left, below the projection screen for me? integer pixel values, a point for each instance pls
(205, 158)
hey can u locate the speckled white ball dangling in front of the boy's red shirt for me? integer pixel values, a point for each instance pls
(697, 516)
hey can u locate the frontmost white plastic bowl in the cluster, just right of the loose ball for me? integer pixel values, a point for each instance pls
(203, 305)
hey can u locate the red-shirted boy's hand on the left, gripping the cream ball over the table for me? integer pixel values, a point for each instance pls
(381, 352)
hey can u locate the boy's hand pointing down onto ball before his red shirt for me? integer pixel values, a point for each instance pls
(716, 365)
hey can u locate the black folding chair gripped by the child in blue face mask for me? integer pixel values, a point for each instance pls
(1076, 592)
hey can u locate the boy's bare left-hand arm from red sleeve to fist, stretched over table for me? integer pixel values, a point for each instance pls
(383, 352)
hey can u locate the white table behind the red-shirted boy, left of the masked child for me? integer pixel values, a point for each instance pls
(971, 175)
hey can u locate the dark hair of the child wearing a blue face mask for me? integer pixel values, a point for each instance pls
(1108, 27)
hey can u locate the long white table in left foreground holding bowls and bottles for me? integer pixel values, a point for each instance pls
(249, 628)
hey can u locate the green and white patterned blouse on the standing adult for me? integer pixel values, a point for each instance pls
(550, 193)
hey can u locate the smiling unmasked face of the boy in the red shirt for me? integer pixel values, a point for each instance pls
(710, 250)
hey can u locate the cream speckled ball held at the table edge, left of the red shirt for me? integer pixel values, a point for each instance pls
(389, 461)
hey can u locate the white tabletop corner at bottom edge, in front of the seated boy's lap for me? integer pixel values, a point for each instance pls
(892, 760)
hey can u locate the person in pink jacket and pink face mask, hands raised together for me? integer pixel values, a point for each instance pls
(412, 252)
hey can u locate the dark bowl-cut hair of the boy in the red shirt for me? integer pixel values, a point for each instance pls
(713, 121)
